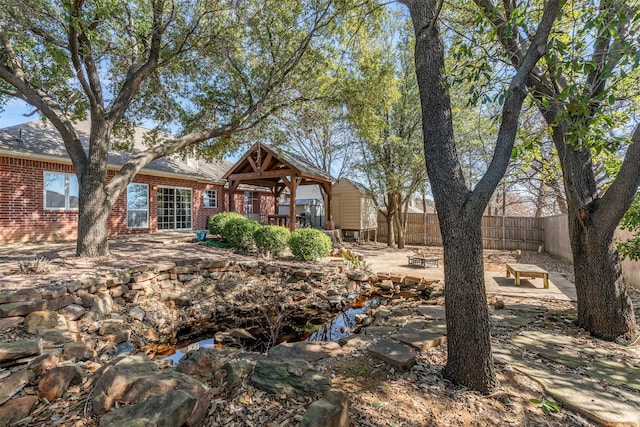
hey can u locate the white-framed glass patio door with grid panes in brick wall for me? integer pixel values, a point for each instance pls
(174, 208)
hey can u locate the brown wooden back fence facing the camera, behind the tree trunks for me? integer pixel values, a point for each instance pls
(509, 233)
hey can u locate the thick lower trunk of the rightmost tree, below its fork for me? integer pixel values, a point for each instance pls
(604, 306)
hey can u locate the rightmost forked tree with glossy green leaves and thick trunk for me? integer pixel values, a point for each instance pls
(587, 93)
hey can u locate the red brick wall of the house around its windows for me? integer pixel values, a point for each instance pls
(23, 217)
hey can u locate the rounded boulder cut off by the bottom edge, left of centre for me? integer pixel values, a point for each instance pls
(168, 410)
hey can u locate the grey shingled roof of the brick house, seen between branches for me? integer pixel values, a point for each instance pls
(41, 139)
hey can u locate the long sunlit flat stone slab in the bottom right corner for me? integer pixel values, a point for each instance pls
(586, 397)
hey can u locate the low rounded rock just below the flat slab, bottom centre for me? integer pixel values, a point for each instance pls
(293, 378)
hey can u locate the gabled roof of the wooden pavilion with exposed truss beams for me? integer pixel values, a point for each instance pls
(265, 166)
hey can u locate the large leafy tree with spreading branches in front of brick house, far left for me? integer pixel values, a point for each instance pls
(216, 67)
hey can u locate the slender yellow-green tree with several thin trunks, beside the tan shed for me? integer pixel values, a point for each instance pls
(382, 99)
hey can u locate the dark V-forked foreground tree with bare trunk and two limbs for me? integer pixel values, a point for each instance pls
(460, 209)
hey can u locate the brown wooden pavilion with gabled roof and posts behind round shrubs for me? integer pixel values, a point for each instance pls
(278, 170)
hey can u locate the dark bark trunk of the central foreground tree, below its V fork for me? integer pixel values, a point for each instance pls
(469, 360)
